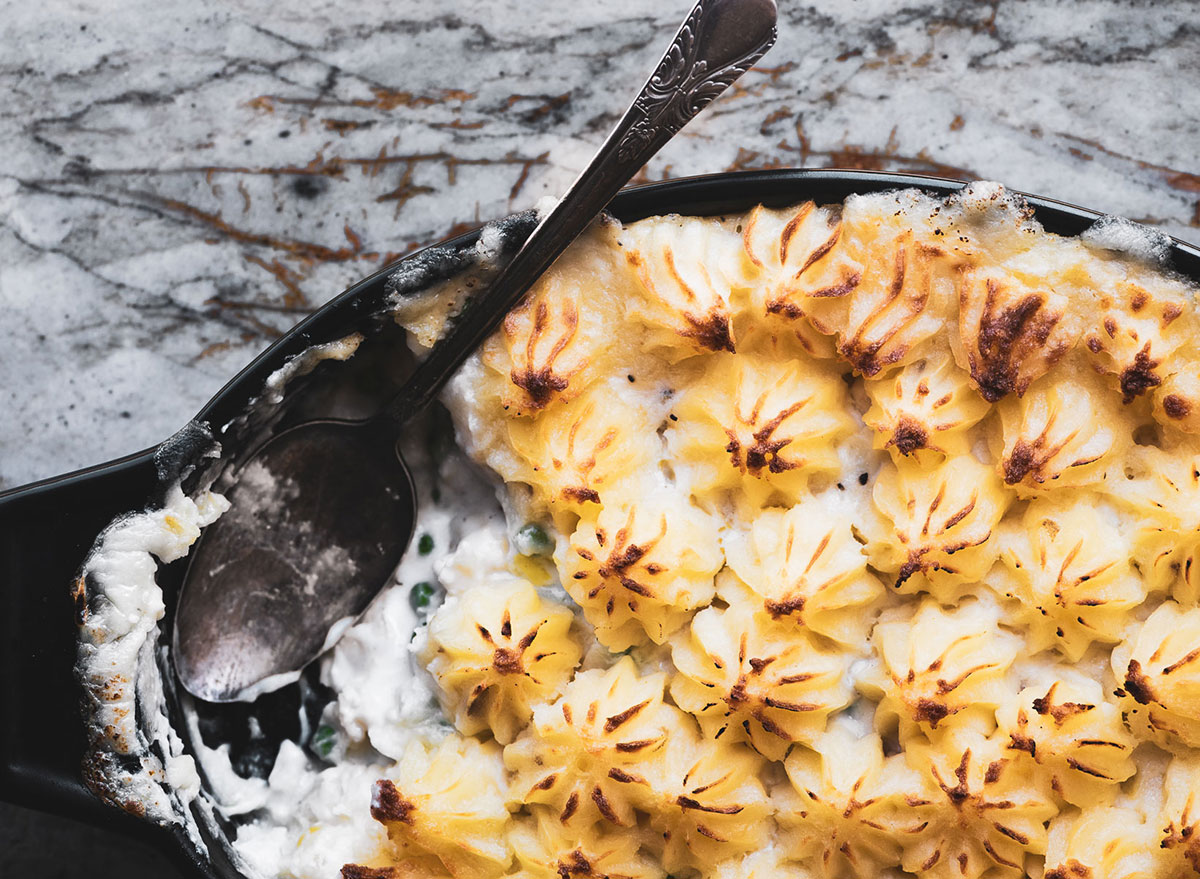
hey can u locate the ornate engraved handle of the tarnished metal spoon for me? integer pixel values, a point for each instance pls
(718, 43)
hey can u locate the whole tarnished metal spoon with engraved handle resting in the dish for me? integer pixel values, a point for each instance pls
(322, 513)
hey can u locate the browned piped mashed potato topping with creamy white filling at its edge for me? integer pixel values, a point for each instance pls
(836, 542)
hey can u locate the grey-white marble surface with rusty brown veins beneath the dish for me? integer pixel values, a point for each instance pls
(182, 182)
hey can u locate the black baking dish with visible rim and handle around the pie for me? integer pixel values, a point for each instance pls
(47, 529)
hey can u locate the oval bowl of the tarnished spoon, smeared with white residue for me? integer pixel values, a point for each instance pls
(320, 518)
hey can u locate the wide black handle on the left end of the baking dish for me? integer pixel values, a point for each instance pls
(46, 531)
